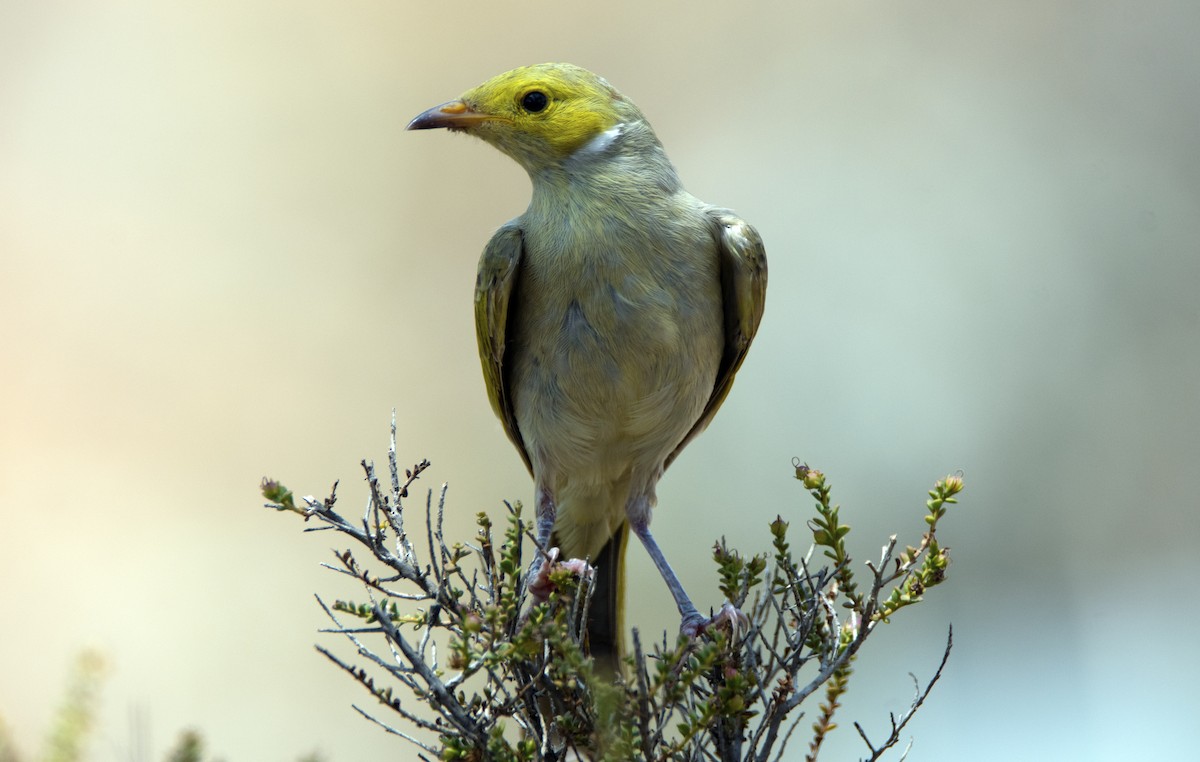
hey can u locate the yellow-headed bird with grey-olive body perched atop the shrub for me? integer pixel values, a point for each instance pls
(611, 319)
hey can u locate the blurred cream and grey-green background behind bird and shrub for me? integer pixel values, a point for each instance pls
(221, 257)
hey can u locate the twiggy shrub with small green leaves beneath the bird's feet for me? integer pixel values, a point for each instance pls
(514, 681)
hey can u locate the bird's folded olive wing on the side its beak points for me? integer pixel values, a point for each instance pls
(495, 295)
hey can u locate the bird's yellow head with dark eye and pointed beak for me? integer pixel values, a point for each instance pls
(541, 116)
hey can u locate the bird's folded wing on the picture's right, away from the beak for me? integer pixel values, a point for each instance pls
(743, 263)
